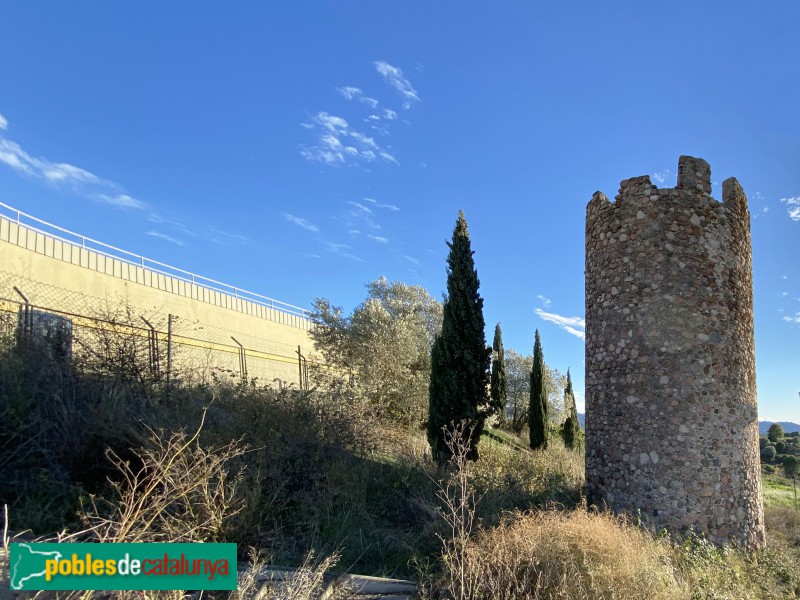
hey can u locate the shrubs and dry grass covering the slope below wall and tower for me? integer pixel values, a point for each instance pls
(103, 452)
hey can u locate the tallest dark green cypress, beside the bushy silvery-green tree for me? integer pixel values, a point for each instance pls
(459, 358)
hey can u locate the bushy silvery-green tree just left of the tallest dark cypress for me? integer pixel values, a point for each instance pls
(385, 343)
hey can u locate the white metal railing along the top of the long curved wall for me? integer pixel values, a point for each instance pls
(155, 266)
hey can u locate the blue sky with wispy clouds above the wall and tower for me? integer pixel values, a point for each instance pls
(303, 149)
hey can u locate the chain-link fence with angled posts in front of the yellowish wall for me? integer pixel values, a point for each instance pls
(106, 334)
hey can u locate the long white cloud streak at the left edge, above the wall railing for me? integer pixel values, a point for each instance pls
(62, 174)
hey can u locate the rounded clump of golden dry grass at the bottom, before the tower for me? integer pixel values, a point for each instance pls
(568, 555)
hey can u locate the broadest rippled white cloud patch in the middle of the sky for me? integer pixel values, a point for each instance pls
(338, 143)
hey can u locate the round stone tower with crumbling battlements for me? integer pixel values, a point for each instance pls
(671, 413)
